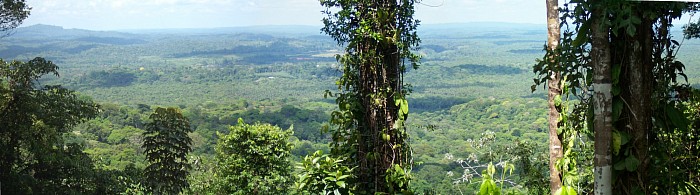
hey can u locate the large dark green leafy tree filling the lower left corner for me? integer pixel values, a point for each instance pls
(40, 154)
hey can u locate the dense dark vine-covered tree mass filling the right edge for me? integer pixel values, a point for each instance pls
(621, 62)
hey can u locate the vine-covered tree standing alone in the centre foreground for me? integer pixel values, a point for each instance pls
(372, 106)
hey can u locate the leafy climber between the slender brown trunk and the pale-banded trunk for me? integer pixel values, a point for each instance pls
(571, 60)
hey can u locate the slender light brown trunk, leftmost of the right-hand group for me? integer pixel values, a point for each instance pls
(554, 89)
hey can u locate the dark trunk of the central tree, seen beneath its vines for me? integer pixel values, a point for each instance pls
(378, 78)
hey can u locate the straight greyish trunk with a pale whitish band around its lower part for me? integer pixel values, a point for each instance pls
(602, 101)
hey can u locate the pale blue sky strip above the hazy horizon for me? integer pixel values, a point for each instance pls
(156, 14)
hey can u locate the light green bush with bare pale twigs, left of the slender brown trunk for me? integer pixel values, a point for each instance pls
(522, 168)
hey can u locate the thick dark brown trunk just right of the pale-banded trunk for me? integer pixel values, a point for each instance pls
(636, 82)
